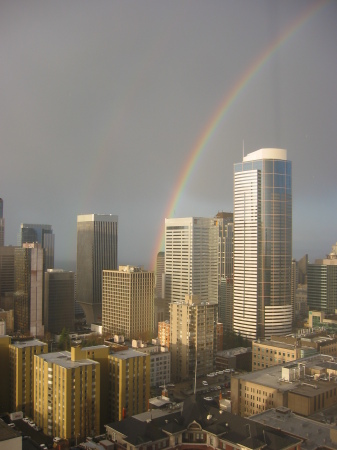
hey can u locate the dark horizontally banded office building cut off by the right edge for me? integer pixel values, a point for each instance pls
(322, 283)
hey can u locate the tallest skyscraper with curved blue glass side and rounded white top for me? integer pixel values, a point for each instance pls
(262, 244)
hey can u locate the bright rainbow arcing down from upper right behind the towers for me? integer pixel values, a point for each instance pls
(220, 113)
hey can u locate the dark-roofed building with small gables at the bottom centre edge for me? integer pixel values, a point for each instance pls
(196, 425)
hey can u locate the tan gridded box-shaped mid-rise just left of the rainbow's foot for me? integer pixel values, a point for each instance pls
(127, 304)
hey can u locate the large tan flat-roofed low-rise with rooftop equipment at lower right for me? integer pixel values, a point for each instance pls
(306, 386)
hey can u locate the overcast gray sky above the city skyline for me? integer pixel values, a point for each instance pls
(103, 101)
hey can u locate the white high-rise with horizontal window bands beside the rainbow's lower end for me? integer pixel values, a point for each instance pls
(191, 258)
